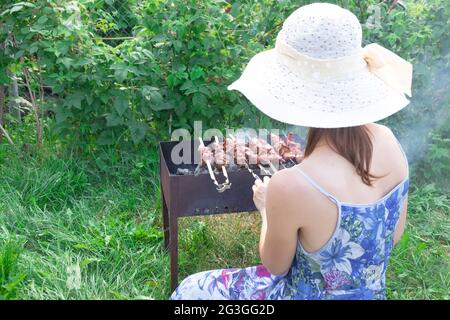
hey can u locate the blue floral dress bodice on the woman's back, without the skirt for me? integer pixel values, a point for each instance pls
(352, 263)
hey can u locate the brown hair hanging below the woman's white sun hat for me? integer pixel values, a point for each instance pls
(353, 143)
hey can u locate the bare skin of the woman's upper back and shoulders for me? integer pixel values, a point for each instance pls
(333, 174)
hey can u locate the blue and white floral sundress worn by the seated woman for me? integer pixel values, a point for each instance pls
(351, 265)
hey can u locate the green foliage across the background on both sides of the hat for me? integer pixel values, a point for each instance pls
(182, 55)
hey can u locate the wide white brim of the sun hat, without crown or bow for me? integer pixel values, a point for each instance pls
(287, 97)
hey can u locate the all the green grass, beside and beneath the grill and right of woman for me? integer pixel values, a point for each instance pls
(59, 212)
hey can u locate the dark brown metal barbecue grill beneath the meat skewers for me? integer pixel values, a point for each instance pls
(188, 194)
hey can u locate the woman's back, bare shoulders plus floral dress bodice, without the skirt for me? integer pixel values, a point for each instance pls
(348, 228)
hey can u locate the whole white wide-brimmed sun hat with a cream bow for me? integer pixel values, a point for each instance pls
(318, 75)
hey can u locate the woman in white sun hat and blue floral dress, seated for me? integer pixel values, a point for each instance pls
(329, 223)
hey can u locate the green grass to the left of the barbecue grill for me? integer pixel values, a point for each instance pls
(67, 216)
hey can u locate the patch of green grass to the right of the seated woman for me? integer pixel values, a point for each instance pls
(420, 263)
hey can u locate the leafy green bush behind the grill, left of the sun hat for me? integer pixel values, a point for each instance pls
(174, 70)
